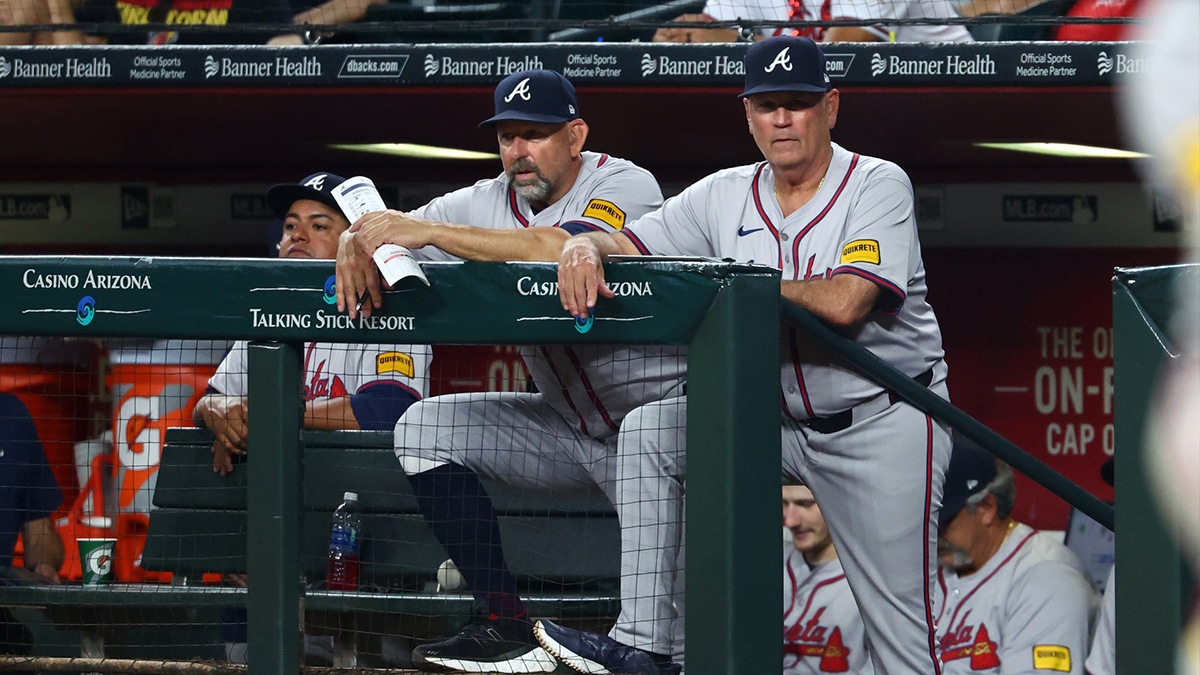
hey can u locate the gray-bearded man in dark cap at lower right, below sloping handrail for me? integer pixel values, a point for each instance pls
(1010, 600)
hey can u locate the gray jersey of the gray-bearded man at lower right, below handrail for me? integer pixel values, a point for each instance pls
(1025, 611)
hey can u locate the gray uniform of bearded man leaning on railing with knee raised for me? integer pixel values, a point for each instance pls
(565, 438)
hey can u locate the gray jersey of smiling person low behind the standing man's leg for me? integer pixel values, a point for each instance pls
(823, 628)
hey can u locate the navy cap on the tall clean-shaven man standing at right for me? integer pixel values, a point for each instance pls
(785, 64)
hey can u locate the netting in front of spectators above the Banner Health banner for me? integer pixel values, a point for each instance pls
(301, 22)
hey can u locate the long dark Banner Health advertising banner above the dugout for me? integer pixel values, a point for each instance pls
(638, 64)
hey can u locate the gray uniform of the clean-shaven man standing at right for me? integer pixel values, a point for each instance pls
(878, 469)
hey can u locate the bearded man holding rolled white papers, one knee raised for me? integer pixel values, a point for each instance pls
(596, 405)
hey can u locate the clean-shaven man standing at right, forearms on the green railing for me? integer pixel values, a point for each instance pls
(842, 230)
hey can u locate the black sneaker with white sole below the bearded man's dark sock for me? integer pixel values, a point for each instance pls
(487, 646)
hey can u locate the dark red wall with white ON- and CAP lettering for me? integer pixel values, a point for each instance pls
(1029, 341)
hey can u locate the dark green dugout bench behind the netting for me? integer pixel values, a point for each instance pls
(563, 549)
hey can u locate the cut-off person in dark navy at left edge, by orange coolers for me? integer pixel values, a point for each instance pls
(29, 494)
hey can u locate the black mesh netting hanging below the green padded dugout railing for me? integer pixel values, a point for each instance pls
(107, 428)
